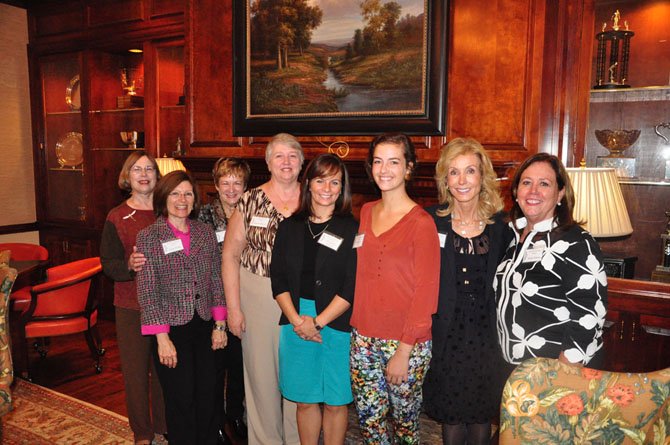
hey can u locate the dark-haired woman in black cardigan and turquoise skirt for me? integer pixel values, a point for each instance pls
(313, 274)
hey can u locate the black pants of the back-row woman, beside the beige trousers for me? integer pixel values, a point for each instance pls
(230, 372)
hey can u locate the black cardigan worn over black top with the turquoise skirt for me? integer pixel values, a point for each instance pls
(335, 271)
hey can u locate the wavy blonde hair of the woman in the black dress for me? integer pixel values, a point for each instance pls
(490, 202)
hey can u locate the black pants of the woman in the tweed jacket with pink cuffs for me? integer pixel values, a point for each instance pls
(189, 388)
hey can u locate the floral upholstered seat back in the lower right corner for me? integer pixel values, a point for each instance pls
(548, 402)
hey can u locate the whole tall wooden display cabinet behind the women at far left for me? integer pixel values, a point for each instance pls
(82, 71)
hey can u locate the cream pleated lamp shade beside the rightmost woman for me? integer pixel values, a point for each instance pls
(599, 202)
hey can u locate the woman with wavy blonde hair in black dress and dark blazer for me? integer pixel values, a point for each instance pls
(462, 388)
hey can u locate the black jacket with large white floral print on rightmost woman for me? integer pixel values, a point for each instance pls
(551, 295)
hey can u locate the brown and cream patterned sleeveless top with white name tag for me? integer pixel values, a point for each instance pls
(257, 211)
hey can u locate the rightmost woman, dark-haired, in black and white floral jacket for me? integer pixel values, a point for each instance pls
(551, 288)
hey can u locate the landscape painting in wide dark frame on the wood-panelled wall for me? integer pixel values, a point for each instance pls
(340, 67)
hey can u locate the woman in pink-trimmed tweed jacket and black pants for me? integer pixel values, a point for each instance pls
(183, 309)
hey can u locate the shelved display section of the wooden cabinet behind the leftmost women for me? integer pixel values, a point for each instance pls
(86, 107)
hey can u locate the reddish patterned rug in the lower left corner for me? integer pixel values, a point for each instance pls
(42, 416)
